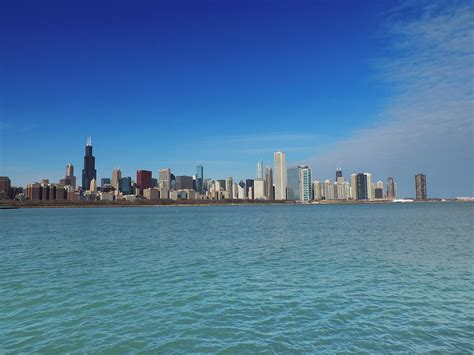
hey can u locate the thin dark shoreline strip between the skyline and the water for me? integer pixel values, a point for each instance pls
(195, 203)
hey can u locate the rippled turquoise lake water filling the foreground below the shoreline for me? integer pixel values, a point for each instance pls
(238, 279)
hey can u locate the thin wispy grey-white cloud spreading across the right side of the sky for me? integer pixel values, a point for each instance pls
(428, 125)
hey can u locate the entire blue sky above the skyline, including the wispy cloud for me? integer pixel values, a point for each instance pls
(374, 86)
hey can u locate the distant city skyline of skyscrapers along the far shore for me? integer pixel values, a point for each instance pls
(277, 183)
